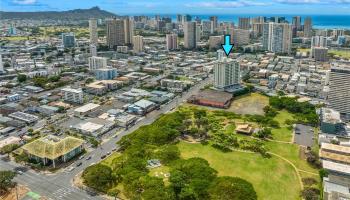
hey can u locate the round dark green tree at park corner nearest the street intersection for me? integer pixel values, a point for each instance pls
(98, 177)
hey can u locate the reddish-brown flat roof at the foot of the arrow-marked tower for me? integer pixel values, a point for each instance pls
(213, 95)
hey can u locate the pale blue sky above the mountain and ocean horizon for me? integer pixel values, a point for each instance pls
(303, 7)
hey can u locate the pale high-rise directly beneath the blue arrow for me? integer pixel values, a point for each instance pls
(226, 73)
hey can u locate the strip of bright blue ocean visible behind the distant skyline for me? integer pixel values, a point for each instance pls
(319, 21)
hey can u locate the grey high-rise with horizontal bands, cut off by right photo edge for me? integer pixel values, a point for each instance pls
(339, 90)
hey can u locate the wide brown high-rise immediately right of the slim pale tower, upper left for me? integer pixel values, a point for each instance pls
(115, 32)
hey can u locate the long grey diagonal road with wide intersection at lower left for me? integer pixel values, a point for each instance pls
(59, 186)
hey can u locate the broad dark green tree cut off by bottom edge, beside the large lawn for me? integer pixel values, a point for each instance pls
(232, 188)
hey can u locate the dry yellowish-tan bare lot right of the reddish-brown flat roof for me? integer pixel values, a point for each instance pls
(249, 104)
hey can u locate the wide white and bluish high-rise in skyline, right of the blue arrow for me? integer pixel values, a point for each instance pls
(277, 37)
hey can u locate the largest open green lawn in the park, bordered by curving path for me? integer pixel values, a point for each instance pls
(272, 178)
